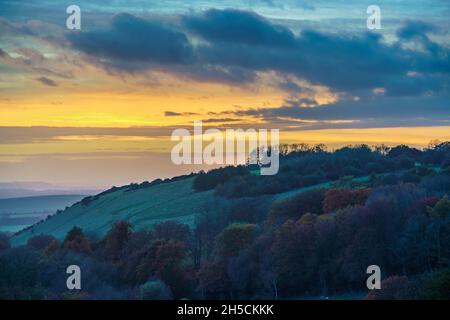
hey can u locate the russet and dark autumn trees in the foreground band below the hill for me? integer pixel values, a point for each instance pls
(400, 228)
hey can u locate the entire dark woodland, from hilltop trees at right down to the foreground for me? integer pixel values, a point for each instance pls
(380, 205)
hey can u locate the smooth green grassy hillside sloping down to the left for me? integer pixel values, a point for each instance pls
(141, 207)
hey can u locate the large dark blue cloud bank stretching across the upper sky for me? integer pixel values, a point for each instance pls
(236, 45)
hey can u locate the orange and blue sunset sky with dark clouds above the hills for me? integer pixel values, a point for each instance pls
(96, 107)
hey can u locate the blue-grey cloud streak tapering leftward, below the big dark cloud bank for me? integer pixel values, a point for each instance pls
(363, 113)
